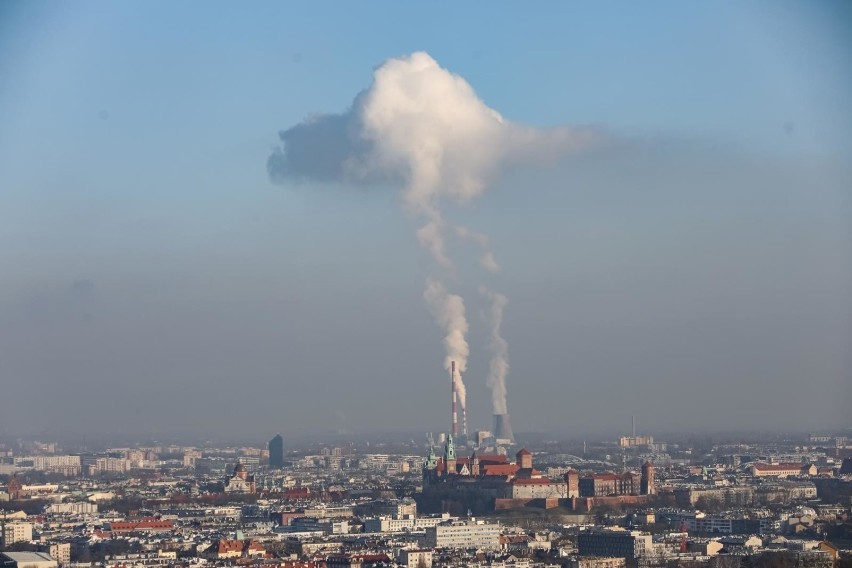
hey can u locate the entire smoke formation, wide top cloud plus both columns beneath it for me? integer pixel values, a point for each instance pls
(423, 128)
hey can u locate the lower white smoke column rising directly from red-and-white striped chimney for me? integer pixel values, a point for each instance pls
(448, 311)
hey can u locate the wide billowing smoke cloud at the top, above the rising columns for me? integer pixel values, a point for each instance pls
(424, 126)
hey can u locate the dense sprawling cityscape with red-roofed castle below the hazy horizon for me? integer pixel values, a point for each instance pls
(471, 500)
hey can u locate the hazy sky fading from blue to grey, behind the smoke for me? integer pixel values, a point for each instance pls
(692, 267)
